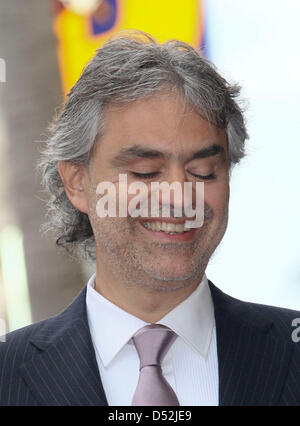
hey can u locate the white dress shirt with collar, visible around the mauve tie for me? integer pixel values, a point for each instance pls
(191, 364)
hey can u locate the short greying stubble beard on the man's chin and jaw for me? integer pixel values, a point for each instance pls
(157, 266)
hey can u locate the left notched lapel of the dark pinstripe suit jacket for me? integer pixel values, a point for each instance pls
(64, 371)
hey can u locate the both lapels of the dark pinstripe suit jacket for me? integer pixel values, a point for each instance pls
(252, 364)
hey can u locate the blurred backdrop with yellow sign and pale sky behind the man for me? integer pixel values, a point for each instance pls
(44, 45)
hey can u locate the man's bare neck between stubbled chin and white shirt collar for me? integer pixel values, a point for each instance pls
(147, 303)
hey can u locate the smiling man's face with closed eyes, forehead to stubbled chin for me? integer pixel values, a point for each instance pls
(155, 140)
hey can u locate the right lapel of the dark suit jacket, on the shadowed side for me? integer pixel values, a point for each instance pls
(252, 364)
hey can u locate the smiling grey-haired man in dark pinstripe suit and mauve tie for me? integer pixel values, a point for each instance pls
(149, 328)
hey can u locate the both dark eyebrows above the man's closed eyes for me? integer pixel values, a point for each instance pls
(138, 151)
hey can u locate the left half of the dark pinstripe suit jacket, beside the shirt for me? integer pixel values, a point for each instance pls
(51, 362)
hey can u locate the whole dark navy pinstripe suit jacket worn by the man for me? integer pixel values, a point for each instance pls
(53, 362)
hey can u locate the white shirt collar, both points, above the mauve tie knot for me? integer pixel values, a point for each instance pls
(111, 327)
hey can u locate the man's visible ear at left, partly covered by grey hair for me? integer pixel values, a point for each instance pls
(74, 179)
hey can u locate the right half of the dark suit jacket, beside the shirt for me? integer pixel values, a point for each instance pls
(259, 364)
